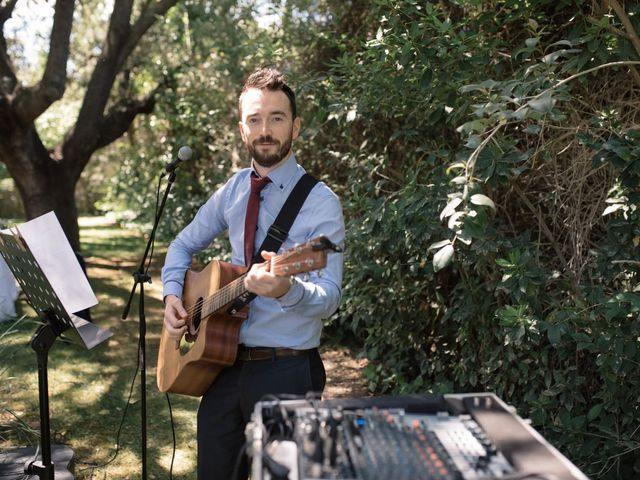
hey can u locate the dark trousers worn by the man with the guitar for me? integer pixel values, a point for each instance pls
(226, 407)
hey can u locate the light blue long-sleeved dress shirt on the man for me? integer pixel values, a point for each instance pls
(295, 319)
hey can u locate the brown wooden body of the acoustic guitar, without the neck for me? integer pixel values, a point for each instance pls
(215, 337)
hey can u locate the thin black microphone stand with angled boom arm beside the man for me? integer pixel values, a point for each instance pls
(141, 277)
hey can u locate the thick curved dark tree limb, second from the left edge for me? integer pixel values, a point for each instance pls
(31, 102)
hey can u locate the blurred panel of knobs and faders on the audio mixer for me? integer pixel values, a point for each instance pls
(375, 444)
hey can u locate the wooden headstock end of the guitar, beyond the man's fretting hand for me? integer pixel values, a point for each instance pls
(309, 256)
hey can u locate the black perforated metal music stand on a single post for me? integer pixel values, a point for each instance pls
(55, 320)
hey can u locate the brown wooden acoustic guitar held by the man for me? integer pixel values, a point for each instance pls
(189, 365)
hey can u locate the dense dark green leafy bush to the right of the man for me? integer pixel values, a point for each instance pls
(493, 222)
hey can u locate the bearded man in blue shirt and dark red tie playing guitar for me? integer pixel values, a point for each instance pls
(278, 341)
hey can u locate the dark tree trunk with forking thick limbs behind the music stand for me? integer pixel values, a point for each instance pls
(46, 180)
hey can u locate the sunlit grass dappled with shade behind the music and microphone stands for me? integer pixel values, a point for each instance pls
(88, 389)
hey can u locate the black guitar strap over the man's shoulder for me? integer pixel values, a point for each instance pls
(279, 230)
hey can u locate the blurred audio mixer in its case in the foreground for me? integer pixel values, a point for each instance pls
(450, 437)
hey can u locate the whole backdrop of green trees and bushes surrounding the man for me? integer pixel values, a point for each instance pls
(487, 154)
